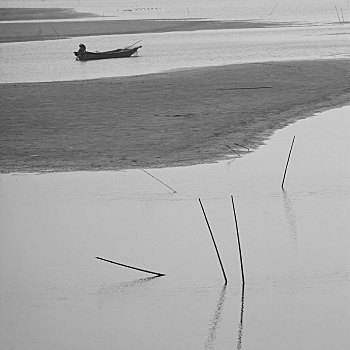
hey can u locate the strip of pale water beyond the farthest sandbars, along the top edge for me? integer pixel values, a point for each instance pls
(271, 10)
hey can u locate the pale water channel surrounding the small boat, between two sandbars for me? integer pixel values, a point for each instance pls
(54, 60)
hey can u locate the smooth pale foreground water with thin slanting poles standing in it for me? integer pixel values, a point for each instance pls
(295, 245)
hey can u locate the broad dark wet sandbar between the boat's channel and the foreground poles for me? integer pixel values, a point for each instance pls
(158, 120)
